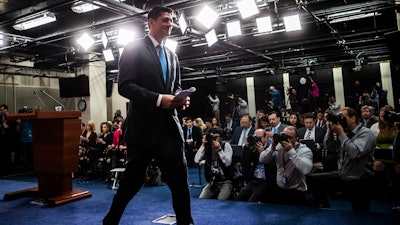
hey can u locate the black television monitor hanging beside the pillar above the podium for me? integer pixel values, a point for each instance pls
(74, 86)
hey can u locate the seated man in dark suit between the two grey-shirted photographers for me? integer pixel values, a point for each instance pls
(312, 134)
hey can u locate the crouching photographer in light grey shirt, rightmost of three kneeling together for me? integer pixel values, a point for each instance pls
(293, 162)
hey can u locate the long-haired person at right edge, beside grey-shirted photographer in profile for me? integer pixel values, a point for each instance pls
(385, 131)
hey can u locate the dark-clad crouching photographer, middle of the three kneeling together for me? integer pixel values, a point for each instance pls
(258, 176)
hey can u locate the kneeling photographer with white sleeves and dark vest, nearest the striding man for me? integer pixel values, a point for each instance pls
(218, 171)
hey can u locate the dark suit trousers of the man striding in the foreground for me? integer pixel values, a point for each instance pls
(169, 153)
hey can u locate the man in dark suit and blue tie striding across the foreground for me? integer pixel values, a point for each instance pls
(150, 78)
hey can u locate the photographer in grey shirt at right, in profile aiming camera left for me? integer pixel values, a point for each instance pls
(356, 153)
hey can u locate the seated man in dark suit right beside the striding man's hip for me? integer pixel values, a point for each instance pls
(193, 139)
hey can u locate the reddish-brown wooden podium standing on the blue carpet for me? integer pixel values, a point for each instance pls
(55, 155)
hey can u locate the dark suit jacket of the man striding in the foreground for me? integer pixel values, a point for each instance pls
(141, 81)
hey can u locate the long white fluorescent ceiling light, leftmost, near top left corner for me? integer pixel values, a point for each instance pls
(34, 21)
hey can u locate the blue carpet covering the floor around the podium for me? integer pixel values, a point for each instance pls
(153, 202)
